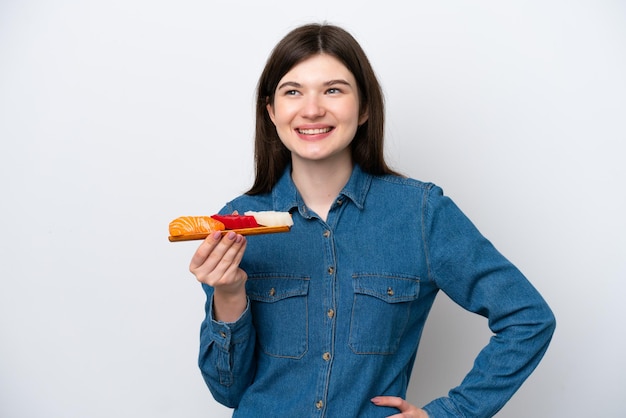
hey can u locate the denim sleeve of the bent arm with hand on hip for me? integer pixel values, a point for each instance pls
(468, 268)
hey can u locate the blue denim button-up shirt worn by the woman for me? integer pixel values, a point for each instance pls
(336, 308)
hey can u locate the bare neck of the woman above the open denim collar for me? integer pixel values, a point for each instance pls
(319, 183)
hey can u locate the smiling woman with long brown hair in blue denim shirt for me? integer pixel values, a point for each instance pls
(325, 320)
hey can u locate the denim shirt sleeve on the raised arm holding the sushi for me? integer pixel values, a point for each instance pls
(226, 354)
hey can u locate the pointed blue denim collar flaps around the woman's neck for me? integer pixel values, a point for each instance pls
(286, 196)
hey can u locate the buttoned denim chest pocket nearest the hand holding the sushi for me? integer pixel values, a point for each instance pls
(280, 313)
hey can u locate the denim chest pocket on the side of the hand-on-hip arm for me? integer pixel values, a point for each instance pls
(381, 311)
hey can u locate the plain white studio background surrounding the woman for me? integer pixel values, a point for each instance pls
(117, 116)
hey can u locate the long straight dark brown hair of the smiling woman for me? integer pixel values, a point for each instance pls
(270, 155)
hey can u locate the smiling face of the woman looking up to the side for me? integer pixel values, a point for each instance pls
(316, 110)
